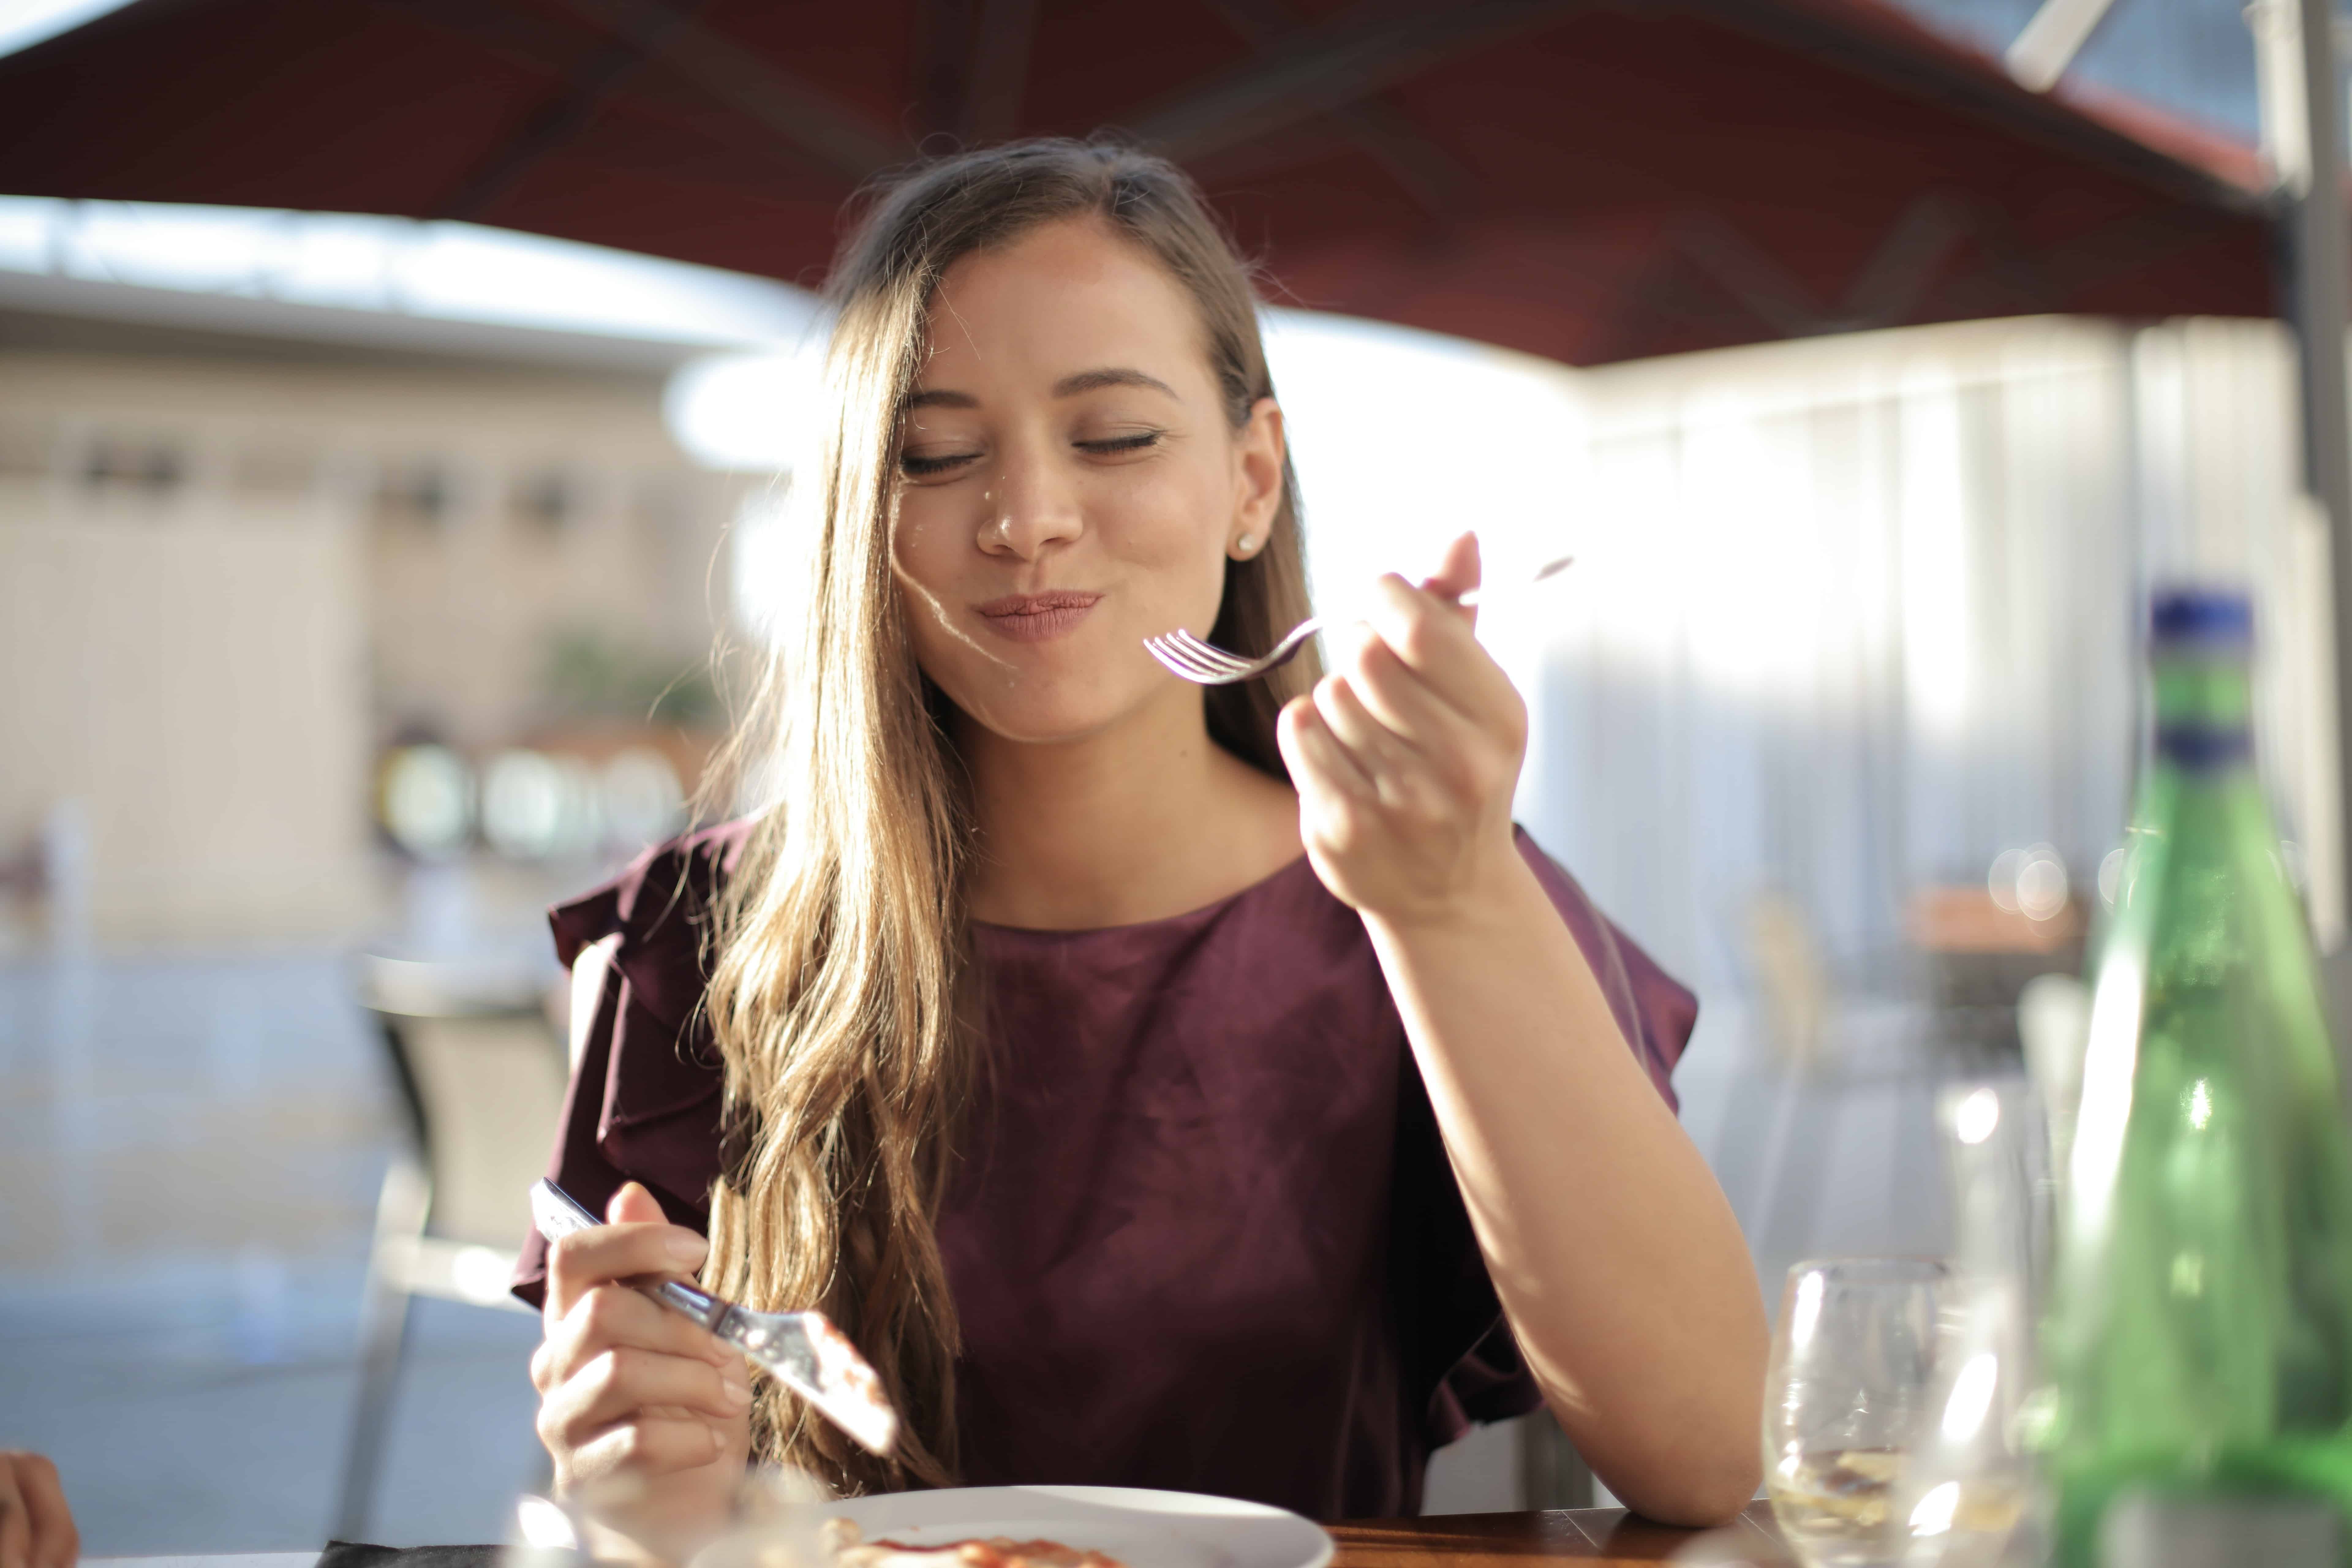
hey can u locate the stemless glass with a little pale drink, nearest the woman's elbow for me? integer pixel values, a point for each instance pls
(1852, 1374)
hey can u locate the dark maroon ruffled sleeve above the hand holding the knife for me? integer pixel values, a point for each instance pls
(646, 1097)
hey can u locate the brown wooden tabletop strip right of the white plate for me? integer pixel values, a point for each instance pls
(1504, 1541)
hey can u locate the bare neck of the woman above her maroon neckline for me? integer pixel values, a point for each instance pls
(1137, 822)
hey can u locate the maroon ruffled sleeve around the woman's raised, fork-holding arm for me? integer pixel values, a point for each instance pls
(1455, 1336)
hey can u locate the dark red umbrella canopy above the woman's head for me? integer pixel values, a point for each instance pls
(1586, 182)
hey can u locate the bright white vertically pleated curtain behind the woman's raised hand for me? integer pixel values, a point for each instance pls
(1850, 615)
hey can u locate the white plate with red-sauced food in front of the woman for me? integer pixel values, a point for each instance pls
(1137, 1527)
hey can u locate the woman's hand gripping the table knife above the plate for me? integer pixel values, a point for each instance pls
(646, 1414)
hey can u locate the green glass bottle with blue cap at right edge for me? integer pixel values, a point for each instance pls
(2200, 1325)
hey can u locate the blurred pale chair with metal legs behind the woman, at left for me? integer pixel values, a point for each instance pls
(481, 1078)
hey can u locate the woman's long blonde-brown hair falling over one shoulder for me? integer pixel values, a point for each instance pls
(841, 977)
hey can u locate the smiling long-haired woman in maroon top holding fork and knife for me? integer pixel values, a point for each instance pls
(1161, 1085)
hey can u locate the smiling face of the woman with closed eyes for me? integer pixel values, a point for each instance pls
(1069, 483)
